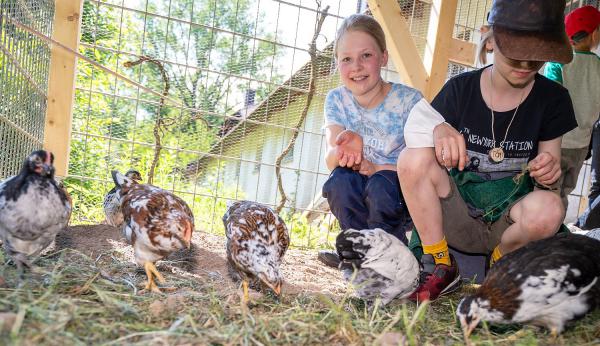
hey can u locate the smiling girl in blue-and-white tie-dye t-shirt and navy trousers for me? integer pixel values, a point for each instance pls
(364, 128)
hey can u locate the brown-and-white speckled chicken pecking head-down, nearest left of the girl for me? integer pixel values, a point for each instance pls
(257, 239)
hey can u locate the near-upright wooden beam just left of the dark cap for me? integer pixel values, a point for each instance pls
(439, 37)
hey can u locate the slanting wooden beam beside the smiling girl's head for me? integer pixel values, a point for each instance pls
(400, 44)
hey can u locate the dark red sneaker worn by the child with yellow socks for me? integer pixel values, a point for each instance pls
(436, 279)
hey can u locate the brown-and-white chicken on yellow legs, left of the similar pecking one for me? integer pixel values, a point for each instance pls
(156, 223)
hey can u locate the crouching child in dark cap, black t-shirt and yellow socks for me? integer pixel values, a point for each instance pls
(512, 119)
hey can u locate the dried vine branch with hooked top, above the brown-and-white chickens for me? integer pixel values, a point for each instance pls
(160, 122)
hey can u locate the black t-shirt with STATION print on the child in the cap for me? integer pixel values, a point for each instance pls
(545, 114)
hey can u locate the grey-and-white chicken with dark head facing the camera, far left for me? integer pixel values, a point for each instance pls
(33, 209)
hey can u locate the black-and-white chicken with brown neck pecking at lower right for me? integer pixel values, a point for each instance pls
(546, 283)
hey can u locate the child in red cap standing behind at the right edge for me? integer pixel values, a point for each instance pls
(582, 78)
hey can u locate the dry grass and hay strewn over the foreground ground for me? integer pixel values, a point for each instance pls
(72, 299)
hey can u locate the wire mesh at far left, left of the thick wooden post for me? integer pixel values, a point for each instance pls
(24, 70)
